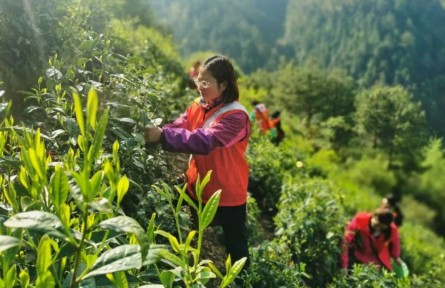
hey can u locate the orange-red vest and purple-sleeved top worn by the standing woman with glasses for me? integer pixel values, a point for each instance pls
(218, 144)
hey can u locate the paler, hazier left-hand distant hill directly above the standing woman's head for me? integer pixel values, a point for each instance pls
(246, 30)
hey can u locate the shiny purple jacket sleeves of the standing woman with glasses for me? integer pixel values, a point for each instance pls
(228, 131)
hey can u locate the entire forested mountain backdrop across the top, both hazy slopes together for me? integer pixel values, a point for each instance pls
(375, 41)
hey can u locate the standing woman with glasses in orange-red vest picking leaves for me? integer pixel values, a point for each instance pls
(215, 130)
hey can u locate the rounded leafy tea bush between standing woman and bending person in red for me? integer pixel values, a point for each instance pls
(311, 222)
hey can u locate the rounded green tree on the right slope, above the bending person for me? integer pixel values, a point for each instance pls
(390, 121)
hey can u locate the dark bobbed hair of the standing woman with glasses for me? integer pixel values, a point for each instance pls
(222, 70)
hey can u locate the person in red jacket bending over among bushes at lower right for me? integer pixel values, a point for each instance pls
(371, 238)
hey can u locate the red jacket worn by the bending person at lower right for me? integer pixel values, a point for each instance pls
(369, 248)
